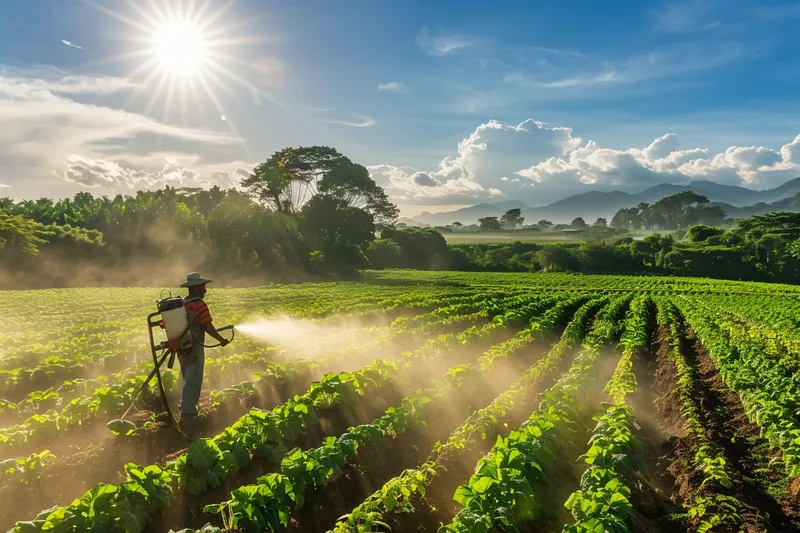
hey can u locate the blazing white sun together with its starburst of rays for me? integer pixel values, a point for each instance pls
(187, 54)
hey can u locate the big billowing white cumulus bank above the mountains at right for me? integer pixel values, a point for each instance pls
(539, 163)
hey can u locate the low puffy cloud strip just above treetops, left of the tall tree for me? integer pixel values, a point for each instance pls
(115, 178)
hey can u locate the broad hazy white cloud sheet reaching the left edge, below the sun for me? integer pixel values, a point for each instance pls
(45, 122)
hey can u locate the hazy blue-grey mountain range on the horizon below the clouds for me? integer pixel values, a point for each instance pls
(738, 202)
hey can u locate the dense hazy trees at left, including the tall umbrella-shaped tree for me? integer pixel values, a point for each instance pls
(304, 211)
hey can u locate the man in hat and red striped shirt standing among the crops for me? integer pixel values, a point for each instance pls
(192, 360)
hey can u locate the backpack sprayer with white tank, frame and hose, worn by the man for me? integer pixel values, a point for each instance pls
(176, 324)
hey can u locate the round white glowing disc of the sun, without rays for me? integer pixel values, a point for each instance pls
(180, 47)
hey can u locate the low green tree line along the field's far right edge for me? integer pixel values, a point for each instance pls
(760, 248)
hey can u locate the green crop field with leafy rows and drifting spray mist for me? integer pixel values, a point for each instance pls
(413, 401)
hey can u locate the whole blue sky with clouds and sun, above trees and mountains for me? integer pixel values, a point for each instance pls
(447, 103)
